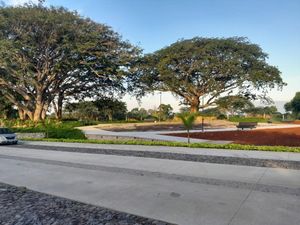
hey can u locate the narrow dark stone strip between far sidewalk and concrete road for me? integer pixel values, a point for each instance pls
(177, 156)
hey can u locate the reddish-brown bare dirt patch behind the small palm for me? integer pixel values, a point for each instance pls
(272, 137)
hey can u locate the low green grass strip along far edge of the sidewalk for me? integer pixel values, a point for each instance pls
(177, 144)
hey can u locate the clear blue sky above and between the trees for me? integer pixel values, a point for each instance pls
(153, 24)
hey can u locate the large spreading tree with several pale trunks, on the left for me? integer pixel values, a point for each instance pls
(50, 54)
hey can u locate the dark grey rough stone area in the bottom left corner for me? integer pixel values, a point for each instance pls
(20, 206)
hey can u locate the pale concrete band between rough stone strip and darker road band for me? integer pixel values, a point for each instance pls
(194, 169)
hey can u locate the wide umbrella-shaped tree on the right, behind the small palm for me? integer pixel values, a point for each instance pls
(210, 67)
